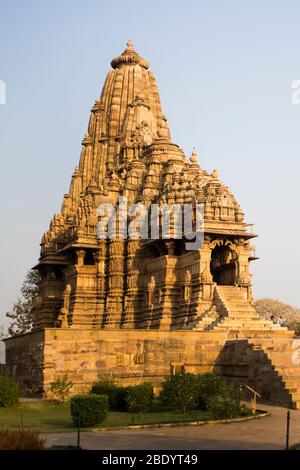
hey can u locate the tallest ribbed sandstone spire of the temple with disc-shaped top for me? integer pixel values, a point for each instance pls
(125, 118)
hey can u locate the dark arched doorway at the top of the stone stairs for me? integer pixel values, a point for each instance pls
(223, 265)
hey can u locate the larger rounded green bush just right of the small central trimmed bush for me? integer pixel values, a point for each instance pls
(180, 392)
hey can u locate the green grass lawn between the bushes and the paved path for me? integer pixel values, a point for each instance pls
(48, 417)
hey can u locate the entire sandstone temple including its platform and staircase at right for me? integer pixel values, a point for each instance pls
(140, 309)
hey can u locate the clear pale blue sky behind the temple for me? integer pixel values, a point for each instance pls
(224, 70)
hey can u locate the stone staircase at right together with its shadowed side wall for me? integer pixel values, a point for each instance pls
(270, 348)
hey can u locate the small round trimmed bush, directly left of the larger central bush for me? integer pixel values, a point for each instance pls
(139, 398)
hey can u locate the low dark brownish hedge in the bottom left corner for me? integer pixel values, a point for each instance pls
(21, 440)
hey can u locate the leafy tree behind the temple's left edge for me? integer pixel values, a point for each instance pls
(21, 312)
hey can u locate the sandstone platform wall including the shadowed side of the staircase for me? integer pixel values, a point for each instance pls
(134, 356)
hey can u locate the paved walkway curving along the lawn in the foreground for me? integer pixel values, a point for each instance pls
(265, 433)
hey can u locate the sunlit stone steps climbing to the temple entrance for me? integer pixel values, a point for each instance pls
(239, 318)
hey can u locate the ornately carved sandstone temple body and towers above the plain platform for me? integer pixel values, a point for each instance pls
(128, 150)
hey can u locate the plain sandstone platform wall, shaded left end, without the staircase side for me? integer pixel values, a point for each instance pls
(128, 356)
